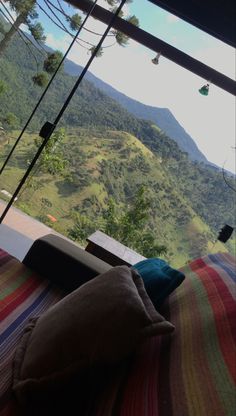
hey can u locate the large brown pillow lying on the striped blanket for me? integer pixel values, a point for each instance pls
(101, 322)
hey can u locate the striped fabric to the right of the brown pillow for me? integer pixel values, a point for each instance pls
(193, 371)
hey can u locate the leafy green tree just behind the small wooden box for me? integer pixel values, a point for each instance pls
(130, 228)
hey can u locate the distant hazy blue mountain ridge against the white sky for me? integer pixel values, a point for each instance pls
(160, 116)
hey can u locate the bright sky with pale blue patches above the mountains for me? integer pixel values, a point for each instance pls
(210, 120)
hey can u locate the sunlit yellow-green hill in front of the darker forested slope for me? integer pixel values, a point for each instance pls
(104, 164)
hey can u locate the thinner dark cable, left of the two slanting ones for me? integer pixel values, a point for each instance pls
(47, 87)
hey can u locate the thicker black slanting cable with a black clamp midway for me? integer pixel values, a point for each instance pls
(48, 128)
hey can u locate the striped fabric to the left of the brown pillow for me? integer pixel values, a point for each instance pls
(22, 296)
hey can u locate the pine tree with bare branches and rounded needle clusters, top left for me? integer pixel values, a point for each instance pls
(26, 13)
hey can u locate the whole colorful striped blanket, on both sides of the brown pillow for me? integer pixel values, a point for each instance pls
(189, 373)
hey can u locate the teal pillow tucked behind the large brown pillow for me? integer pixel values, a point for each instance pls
(159, 279)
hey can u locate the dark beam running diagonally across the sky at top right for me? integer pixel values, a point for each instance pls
(158, 45)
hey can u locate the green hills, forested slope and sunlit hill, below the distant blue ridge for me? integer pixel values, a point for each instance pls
(107, 153)
